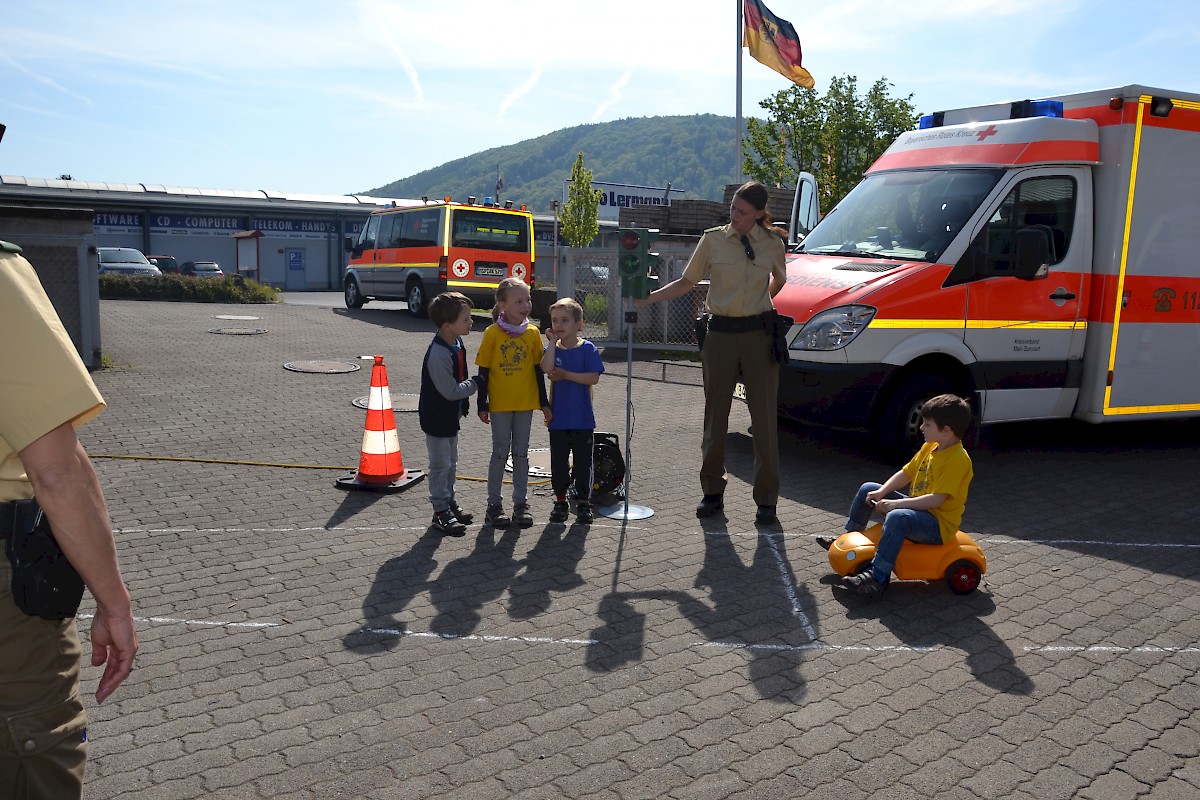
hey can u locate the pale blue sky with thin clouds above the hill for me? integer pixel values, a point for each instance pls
(311, 97)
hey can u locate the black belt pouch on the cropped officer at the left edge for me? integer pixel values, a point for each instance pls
(44, 582)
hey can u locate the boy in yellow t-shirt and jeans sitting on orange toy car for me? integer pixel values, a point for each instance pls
(940, 474)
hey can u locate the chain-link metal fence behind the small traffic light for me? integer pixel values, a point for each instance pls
(591, 276)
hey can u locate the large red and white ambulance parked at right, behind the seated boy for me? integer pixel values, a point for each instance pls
(1040, 257)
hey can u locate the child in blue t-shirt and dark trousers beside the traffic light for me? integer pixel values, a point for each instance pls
(574, 368)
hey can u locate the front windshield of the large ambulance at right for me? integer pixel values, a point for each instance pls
(903, 215)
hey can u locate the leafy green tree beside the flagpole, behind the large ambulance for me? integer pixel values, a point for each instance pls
(836, 137)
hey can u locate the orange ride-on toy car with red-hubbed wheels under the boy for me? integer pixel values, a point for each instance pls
(962, 564)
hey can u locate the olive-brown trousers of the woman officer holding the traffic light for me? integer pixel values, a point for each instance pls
(725, 357)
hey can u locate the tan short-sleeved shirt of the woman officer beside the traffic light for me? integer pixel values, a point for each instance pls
(739, 287)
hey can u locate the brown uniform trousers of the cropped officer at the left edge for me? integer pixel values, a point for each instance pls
(44, 743)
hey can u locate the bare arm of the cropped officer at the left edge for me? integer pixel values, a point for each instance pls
(67, 488)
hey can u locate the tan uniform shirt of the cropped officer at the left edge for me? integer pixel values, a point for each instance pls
(43, 381)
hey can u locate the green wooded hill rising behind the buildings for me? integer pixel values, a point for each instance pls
(694, 154)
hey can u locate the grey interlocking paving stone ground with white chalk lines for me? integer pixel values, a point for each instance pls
(302, 642)
